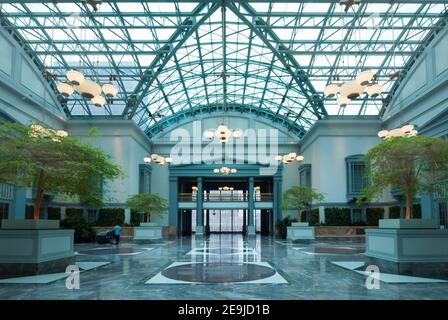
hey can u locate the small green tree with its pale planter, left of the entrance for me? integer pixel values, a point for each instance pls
(147, 204)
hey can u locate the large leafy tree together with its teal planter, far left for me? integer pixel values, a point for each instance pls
(50, 162)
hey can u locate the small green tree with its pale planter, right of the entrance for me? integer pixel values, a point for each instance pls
(300, 198)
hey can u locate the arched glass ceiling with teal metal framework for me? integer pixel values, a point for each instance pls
(179, 58)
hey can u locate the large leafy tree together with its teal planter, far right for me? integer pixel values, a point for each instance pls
(412, 165)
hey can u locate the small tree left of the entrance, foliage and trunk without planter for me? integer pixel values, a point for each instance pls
(147, 204)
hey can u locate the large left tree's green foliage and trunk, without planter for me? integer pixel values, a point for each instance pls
(52, 162)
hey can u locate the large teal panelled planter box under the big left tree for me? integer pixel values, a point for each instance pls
(31, 252)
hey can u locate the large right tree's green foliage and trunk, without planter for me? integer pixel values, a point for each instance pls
(411, 165)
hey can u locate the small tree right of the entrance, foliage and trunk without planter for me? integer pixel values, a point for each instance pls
(300, 198)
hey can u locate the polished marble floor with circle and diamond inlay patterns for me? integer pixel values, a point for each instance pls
(224, 266)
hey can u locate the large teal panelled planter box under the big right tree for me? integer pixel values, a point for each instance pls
(407, 245)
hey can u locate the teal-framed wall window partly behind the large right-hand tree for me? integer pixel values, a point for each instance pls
(356, 180)
